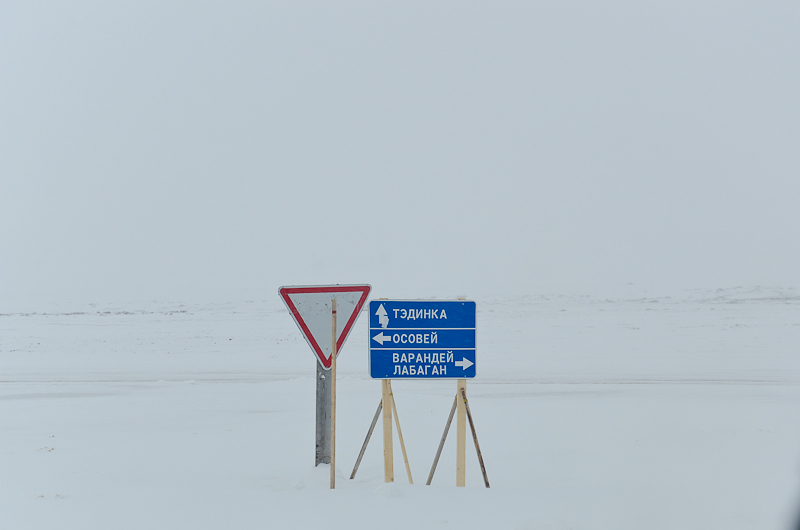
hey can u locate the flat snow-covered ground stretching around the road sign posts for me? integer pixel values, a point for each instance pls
(663, 413)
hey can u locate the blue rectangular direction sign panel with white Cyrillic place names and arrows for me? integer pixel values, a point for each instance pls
(421, 339)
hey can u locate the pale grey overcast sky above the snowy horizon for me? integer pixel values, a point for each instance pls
(214, 151)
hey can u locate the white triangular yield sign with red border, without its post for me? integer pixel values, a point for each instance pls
(310, 306)
